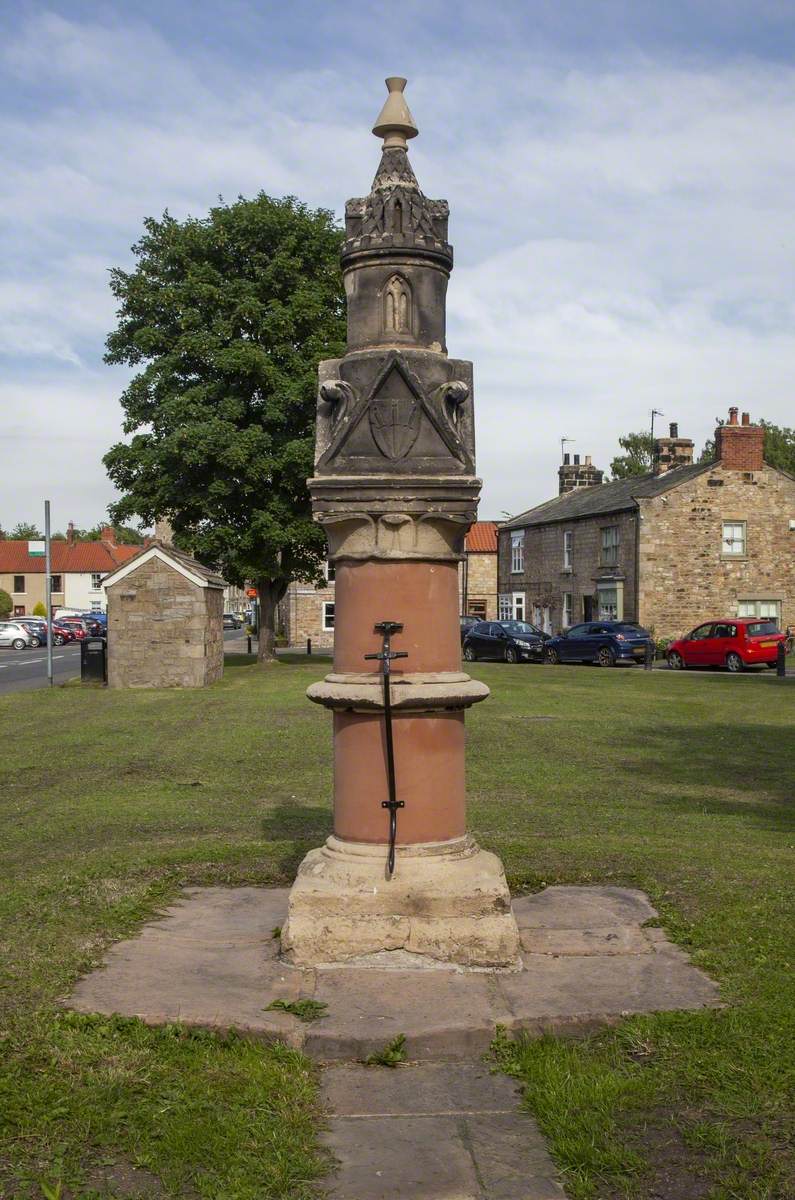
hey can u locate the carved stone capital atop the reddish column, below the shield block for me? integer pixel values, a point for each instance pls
(396, 518)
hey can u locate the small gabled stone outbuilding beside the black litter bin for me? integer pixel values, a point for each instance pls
(165, 621)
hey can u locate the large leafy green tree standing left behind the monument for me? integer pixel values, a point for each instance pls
(225, 320)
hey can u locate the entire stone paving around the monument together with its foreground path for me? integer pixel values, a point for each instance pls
(441, 1127)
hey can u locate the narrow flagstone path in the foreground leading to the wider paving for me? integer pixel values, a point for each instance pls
(434, 1132)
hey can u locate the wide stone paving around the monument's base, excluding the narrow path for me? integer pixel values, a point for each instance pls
(212, 961)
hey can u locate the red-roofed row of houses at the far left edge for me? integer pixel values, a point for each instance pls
(77, 568)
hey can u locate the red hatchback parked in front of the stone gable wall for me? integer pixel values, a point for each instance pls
(736, 644)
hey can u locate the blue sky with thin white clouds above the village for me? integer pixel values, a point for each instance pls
(620, 173)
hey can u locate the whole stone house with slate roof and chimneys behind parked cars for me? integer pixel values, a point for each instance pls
(670, 550)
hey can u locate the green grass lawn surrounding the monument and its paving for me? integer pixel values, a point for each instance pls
(682, 785)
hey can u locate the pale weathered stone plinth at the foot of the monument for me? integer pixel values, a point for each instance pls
(449, 902)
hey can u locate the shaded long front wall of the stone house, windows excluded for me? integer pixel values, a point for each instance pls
(545, 579)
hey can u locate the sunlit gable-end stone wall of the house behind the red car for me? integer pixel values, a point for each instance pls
(686, 579)
